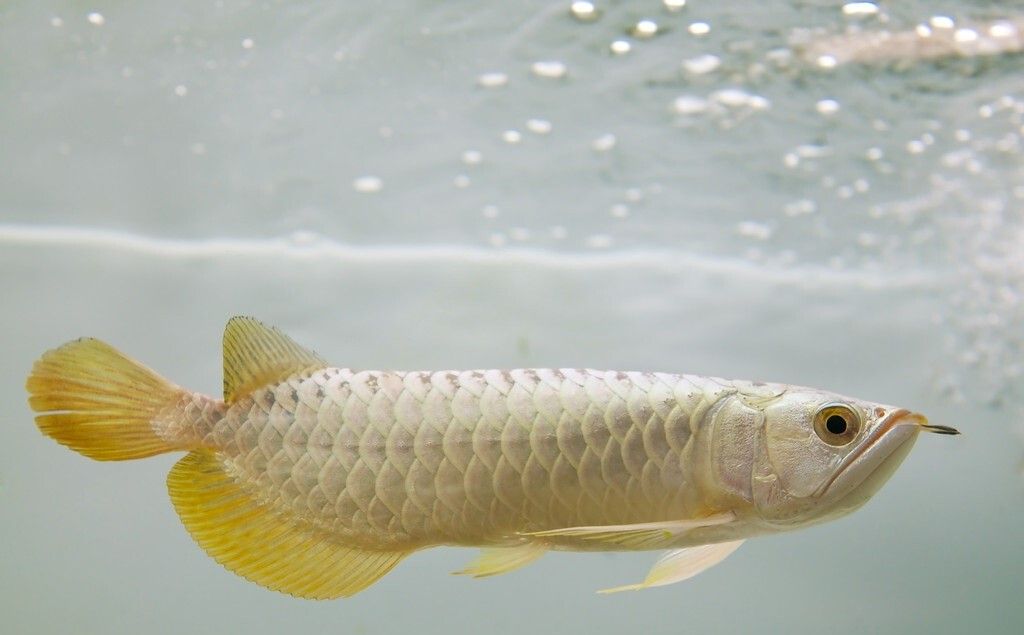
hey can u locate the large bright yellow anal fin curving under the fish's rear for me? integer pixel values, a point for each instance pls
(264, 546)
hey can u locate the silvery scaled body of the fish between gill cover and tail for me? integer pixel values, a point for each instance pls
(419, 458)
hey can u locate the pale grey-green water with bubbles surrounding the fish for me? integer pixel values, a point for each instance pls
(467, 185)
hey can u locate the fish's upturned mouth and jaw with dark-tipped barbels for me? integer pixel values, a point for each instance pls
(879, 455)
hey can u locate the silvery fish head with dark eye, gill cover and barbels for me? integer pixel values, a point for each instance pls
(822, 456)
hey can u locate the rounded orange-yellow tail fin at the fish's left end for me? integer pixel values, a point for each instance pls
(99, 403)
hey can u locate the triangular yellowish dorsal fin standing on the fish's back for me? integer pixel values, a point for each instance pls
(257, 356)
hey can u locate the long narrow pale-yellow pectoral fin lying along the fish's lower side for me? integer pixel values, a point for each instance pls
(637, 536)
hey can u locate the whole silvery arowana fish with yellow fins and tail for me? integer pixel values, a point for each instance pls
(317, 481)
